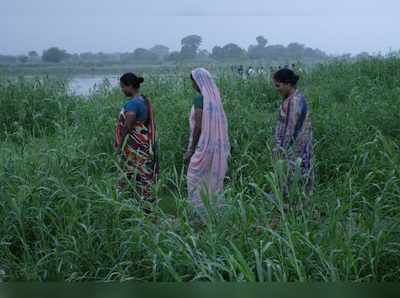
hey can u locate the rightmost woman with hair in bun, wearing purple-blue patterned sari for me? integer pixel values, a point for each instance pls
(294, 135)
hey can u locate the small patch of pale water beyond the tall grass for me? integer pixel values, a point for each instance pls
(83, 85)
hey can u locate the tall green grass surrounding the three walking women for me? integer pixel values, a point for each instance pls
(62, 219)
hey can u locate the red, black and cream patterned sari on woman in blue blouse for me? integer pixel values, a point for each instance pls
(139, 160)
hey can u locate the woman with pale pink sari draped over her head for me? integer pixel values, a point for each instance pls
(209, 147)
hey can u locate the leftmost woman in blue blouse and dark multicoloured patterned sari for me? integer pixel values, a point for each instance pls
(135, 138)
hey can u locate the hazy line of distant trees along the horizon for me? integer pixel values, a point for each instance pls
(190, 51)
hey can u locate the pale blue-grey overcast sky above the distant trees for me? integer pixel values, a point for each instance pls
(337, 27)
